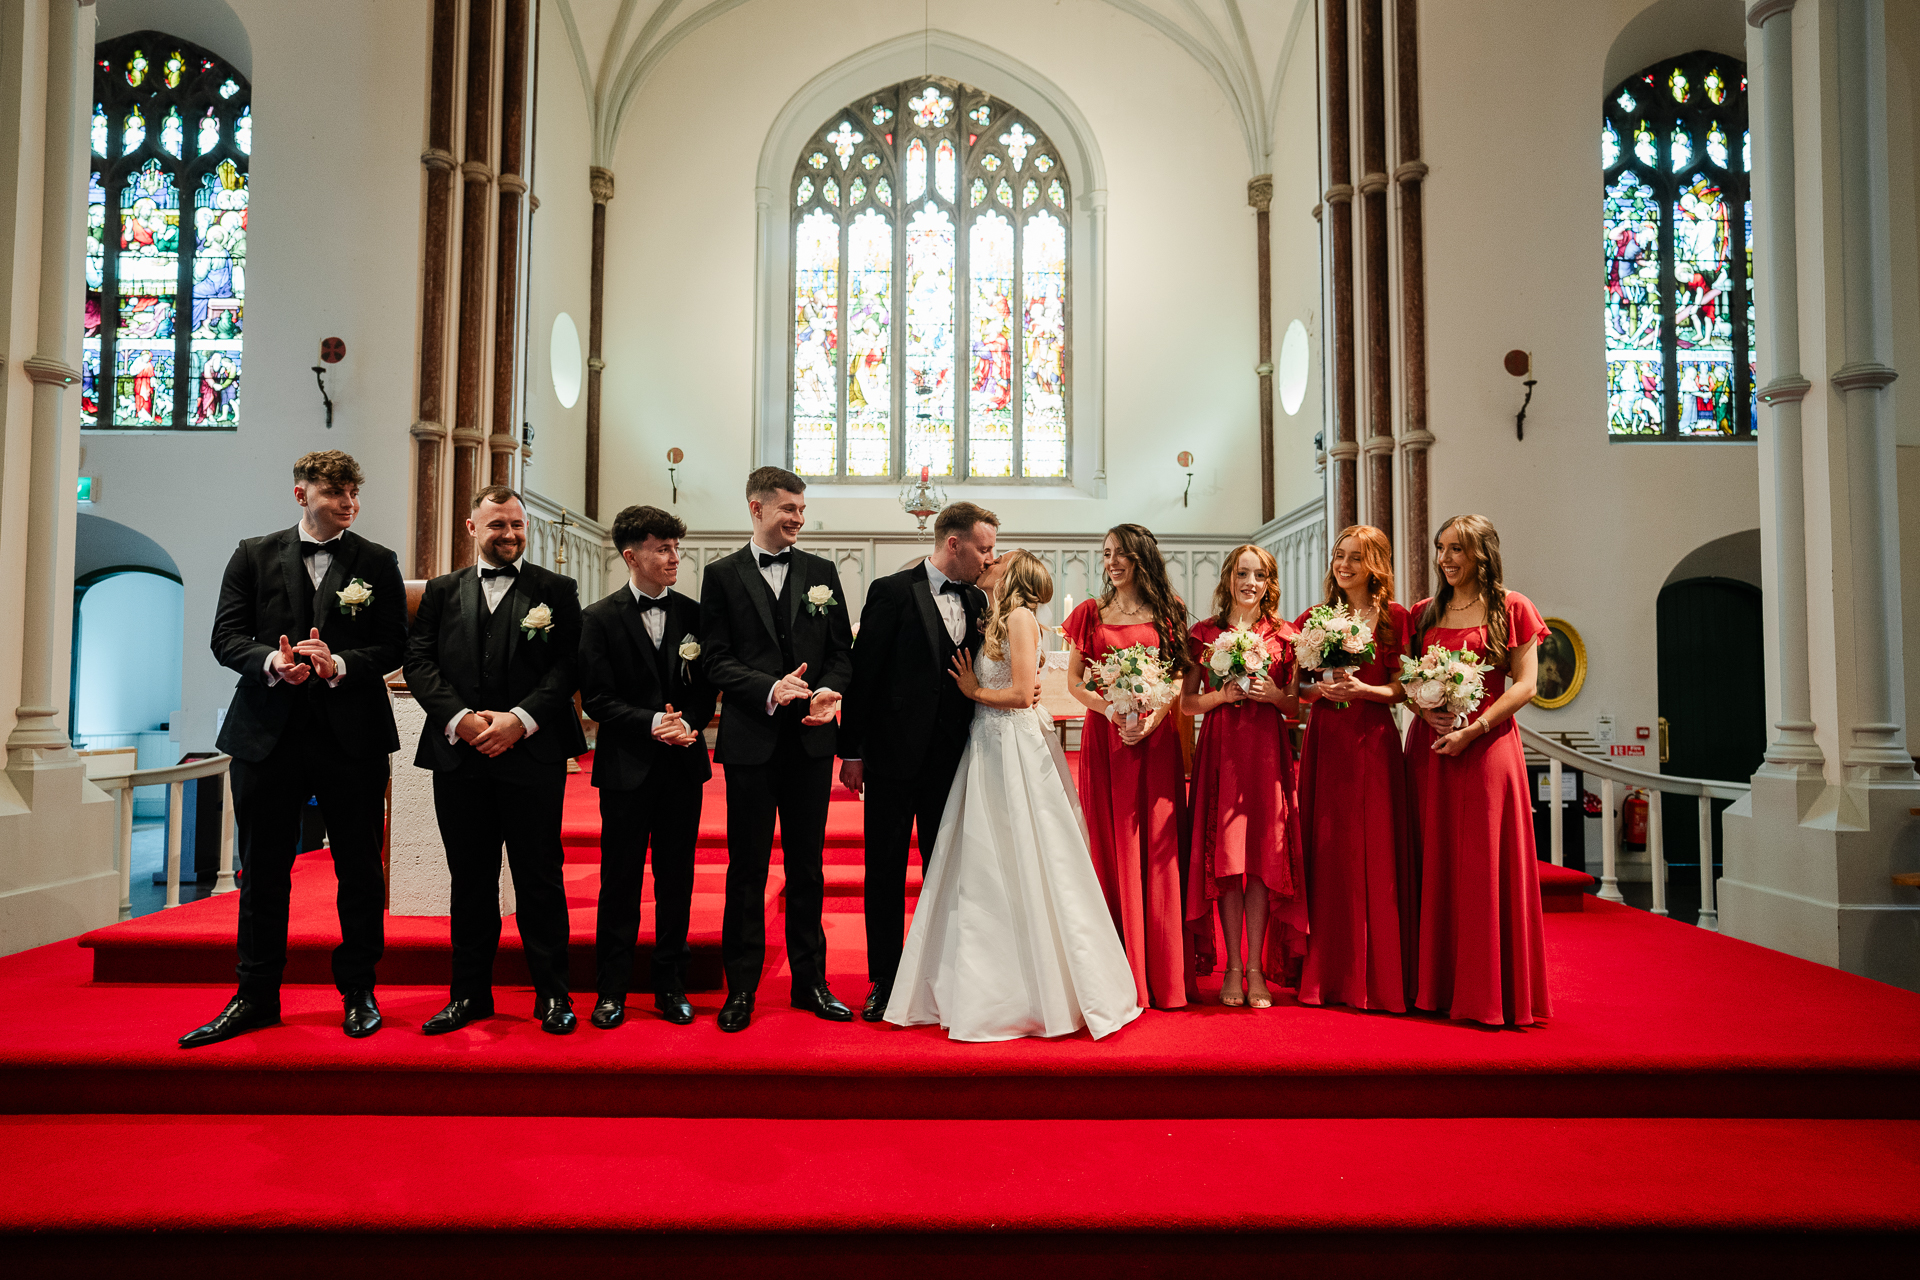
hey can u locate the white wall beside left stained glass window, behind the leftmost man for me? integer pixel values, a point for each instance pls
(333, 250)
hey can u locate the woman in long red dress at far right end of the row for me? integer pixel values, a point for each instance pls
(1481, 951)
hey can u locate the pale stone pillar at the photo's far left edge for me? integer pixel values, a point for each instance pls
(39, 738)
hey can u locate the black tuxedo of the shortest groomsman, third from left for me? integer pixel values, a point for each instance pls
(648, 792)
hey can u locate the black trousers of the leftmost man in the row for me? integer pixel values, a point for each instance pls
(270, 797)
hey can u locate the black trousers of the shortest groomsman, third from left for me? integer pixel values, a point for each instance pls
(665, 811)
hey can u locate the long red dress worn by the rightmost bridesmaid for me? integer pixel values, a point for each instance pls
(1481, 945)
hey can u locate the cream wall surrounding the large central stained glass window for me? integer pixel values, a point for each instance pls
(1180, 264)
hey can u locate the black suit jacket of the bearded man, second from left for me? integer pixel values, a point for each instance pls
(444, 663)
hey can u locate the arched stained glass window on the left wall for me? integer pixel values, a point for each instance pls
(166, 237)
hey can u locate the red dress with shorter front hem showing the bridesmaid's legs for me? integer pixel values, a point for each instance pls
(1243, 809)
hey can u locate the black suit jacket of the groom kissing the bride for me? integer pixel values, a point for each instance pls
(901, 675)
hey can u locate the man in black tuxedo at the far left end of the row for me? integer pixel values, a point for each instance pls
(312, 619)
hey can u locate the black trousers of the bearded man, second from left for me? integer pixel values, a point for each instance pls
(479, 809)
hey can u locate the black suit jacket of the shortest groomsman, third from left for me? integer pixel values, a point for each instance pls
(623, 690)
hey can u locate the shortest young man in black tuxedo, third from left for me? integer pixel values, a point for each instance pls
(642, 678)
